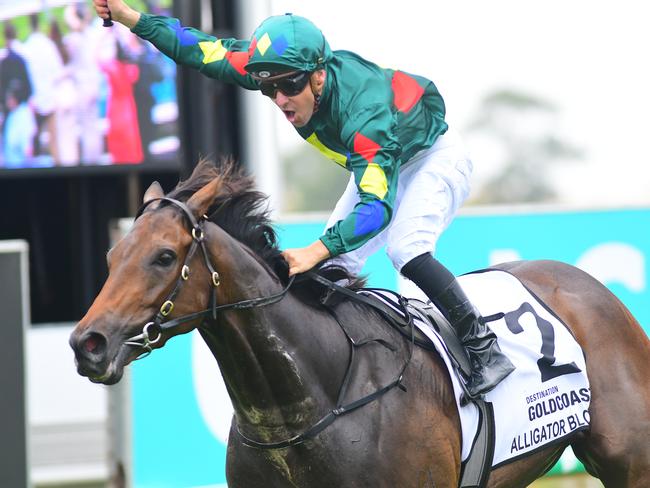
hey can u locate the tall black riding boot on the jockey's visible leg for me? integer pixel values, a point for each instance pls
(488, 364)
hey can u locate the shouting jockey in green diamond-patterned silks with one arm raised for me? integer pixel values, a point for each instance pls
(410, 172)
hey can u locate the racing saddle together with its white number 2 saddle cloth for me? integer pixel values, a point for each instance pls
(544, 401)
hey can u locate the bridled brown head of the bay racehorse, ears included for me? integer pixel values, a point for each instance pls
(154, 275)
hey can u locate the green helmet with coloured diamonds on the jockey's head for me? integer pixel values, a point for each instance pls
(286, 43)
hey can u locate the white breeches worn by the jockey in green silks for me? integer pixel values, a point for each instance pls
(431, 187)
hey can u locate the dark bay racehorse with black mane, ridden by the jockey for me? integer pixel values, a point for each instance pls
(295, 369)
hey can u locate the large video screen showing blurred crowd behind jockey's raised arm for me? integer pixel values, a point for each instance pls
(74, 93)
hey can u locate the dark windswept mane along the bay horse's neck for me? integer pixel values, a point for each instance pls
(243, 212)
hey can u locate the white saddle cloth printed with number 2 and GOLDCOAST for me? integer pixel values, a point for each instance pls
(547, 397)
